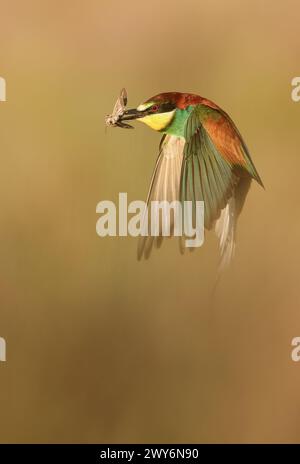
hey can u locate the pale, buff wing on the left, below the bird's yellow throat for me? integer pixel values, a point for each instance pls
(164, 186)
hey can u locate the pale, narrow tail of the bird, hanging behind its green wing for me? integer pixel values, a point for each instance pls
(225, 226)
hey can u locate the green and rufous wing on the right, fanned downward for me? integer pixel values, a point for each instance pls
(215, 158)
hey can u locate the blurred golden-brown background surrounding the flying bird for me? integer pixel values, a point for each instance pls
(101, 347)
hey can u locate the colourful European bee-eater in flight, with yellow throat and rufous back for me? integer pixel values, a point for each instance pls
(202, 157)
